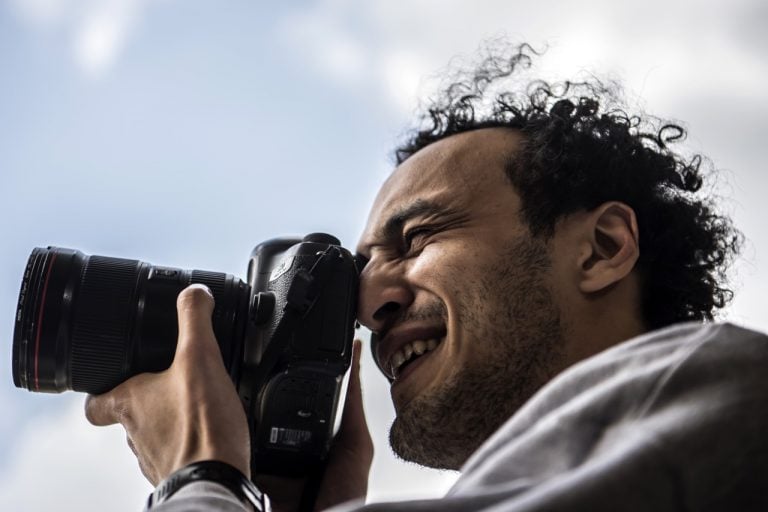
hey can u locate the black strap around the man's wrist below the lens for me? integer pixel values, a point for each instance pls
(210, 471)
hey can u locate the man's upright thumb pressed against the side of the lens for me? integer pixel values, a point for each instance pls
(195, 306)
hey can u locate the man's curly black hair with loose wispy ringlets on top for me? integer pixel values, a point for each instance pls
(582, 149)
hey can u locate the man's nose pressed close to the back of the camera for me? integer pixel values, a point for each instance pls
(384, 295)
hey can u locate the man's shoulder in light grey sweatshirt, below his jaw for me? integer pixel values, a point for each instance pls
(681, 412)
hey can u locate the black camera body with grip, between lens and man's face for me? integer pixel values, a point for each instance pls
(297, 349)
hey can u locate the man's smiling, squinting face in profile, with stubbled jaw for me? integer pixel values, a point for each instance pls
(459, 294)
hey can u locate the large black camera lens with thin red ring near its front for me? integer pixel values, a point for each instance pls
(87, 323)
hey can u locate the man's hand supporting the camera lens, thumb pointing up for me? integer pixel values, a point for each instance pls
(187, 413)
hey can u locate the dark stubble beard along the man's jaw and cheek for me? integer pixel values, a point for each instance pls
(511, 308)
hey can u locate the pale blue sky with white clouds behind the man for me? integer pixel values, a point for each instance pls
(184, 133)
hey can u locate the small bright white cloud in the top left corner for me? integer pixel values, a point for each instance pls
(98, 30)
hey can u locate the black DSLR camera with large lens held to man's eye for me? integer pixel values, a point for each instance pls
(88, 323)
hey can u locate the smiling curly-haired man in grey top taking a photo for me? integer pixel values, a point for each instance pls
(513, 252)
